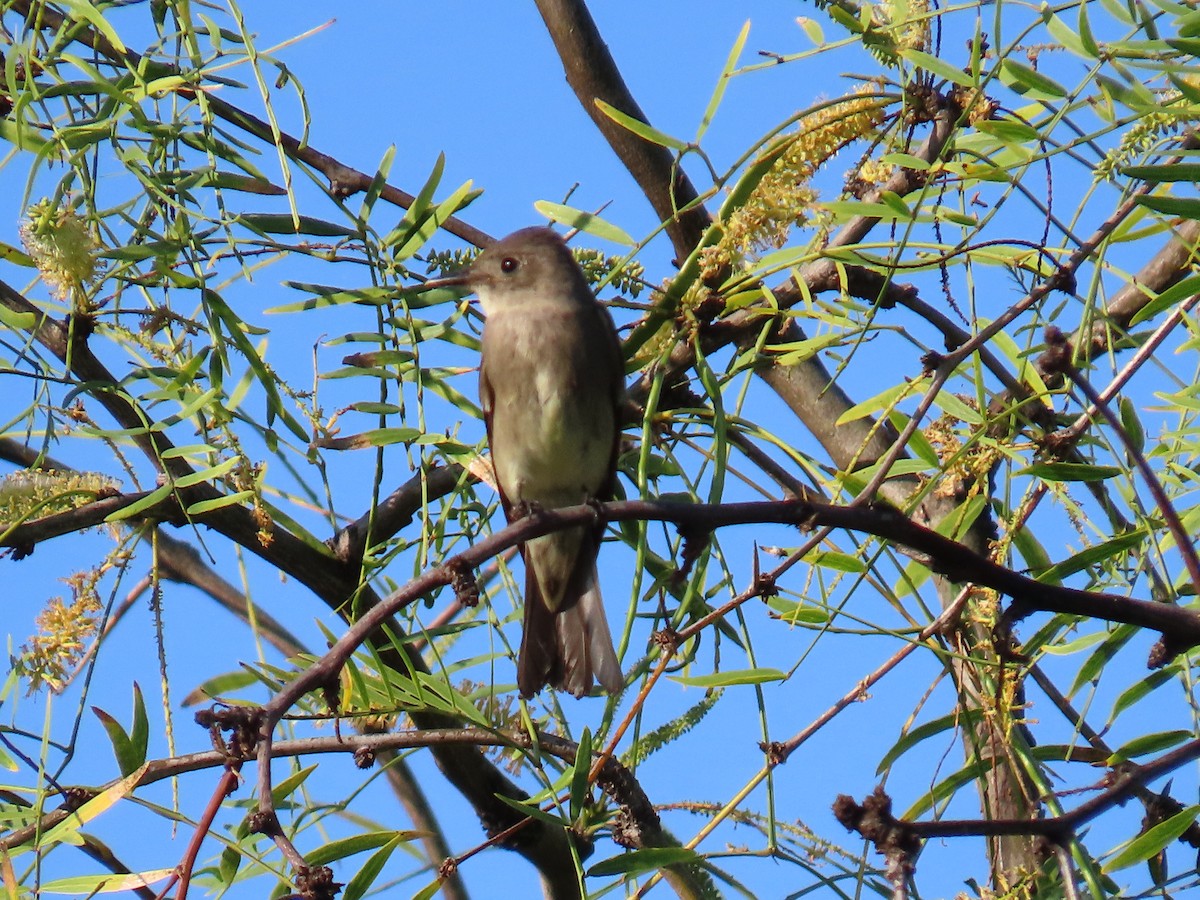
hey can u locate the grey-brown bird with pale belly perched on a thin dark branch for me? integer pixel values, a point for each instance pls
(551, 383)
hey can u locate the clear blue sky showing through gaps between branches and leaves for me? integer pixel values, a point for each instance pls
(481, 83)
